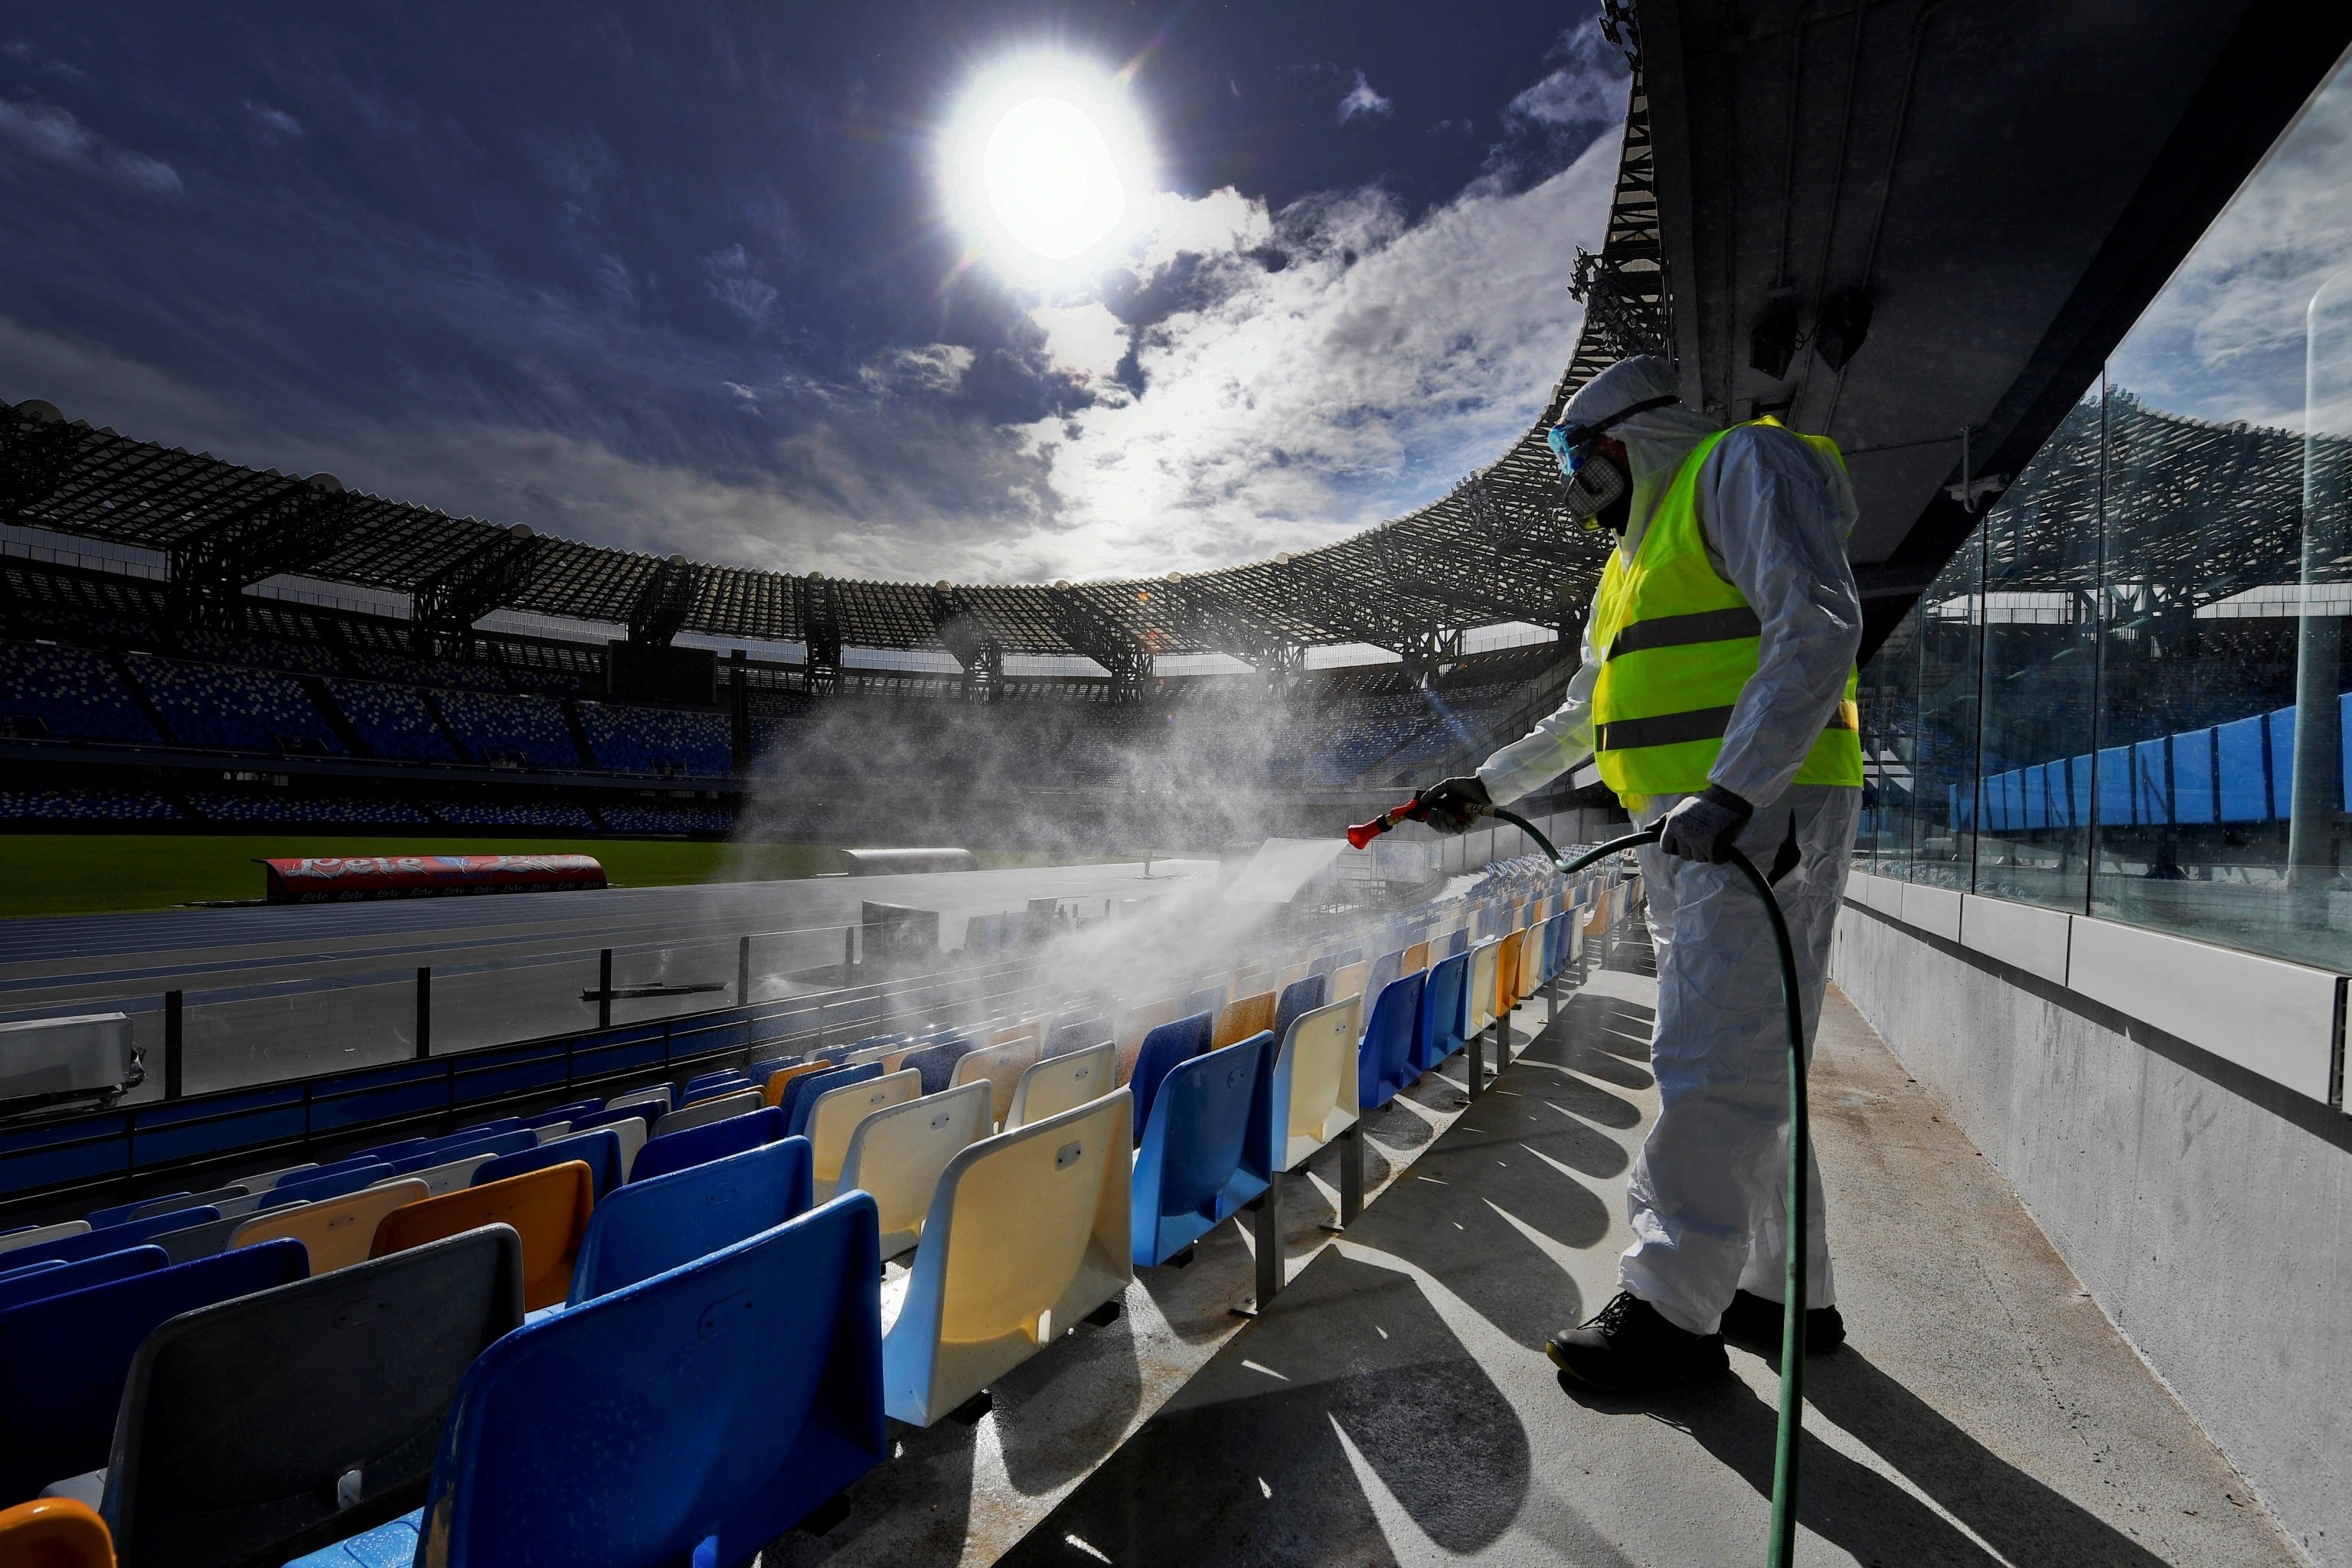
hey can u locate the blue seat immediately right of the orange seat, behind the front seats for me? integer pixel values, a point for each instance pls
(662, 1224)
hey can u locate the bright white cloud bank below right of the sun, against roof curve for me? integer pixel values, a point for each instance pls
(1292, 408)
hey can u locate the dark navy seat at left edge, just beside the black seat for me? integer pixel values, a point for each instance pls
(62, 1358)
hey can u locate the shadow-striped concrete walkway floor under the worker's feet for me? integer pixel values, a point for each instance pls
(1396, 1402)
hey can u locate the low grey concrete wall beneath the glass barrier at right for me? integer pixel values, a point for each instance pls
(2205, 1207)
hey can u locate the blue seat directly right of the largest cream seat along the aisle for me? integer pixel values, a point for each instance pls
(1208, 1148)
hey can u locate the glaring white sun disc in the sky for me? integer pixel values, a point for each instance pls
(1045, 166)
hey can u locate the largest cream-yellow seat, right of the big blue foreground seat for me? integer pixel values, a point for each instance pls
(1027, 1235)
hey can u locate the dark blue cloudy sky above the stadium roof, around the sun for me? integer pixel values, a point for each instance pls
(681, 276)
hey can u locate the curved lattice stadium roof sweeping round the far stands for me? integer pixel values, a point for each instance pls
(1495, 549)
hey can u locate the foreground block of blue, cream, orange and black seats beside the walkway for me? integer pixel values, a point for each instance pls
(1029, 1186)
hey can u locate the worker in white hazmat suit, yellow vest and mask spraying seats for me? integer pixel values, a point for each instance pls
(1718, 702)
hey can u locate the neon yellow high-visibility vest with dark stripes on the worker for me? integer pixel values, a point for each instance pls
(1678, 645)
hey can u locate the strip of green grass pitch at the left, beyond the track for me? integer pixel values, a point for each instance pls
(93, 873)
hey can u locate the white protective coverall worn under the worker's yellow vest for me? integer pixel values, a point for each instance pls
(1709, 1193)
